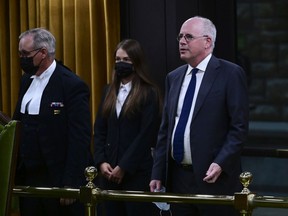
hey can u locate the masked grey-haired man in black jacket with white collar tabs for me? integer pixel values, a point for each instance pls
(53, 108)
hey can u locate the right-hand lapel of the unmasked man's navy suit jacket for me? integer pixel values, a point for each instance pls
(210, 75)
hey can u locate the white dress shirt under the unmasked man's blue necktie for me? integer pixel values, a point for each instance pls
(187, 159)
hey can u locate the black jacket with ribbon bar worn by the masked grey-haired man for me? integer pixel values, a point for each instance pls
(65, 132)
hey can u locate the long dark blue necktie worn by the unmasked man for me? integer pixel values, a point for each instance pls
(178, 142)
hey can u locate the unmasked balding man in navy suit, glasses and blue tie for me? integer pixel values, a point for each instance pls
(216, 129)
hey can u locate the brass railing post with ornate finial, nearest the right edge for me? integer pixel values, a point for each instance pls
(245, 197)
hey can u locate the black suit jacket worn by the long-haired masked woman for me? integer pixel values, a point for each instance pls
(126, 141)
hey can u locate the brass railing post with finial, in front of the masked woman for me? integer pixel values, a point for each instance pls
(87, 192)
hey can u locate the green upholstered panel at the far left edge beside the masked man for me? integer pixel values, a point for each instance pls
(7, 136)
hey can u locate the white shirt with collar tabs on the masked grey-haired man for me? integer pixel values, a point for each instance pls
(32, 98)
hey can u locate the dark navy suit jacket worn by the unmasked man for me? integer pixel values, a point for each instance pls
(218, 129)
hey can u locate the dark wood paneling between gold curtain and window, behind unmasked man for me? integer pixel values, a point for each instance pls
(155, 24)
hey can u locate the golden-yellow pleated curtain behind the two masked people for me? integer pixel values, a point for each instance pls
(86, 31)
